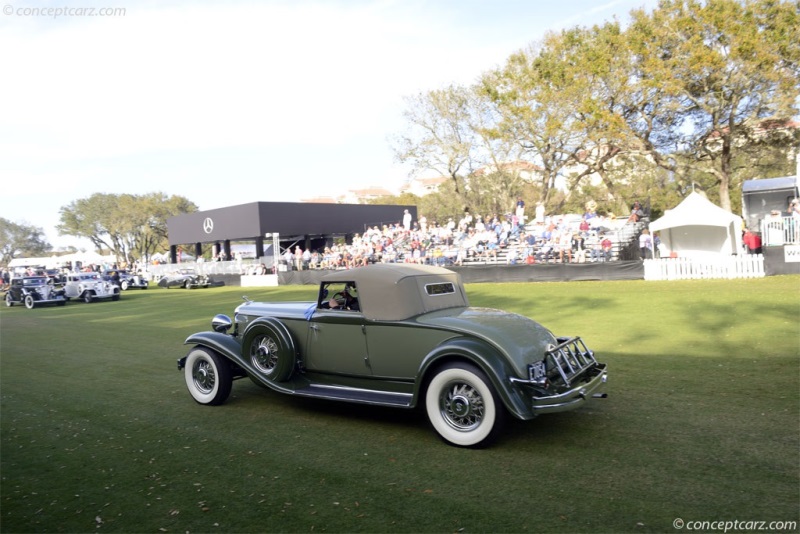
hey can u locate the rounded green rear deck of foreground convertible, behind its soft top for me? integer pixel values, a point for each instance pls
(522, 339)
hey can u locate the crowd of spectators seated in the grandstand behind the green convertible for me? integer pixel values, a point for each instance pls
(472, 239)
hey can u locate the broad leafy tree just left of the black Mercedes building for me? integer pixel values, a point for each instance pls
(131, 226)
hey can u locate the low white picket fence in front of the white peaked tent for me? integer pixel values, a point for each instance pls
(743, 266)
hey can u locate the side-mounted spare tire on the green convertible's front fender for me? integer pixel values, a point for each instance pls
(268, 346)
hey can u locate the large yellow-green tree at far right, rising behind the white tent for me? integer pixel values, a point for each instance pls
(721, 72)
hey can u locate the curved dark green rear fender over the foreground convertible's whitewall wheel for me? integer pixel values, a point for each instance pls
(484, 356)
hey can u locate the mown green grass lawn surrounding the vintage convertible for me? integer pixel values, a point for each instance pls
(702, 423)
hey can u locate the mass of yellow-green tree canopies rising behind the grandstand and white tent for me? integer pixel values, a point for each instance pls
(691, 94)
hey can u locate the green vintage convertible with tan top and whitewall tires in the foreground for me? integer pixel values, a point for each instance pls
(398, 335)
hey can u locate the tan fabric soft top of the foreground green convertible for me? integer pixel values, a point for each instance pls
(397, 291)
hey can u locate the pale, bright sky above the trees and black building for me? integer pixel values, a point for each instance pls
(227, 103)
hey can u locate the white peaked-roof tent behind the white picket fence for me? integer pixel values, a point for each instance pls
(698, 227)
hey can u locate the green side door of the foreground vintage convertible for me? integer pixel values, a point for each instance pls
(337, 343)
